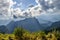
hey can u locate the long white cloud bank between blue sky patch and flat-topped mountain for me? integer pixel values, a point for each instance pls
(30, 12)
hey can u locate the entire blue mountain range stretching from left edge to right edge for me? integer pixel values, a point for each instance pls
(31, 24)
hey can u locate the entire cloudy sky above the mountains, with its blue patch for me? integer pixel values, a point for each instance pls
(41, 9)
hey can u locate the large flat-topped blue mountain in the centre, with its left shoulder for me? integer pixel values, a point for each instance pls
(30, 24)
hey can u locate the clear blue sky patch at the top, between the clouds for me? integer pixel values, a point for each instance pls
(25, 3)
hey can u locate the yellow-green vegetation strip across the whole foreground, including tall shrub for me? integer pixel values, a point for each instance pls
(21, 34)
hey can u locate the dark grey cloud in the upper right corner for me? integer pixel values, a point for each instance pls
(49, 4)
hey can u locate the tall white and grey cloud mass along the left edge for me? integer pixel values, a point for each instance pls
(5, 6)
